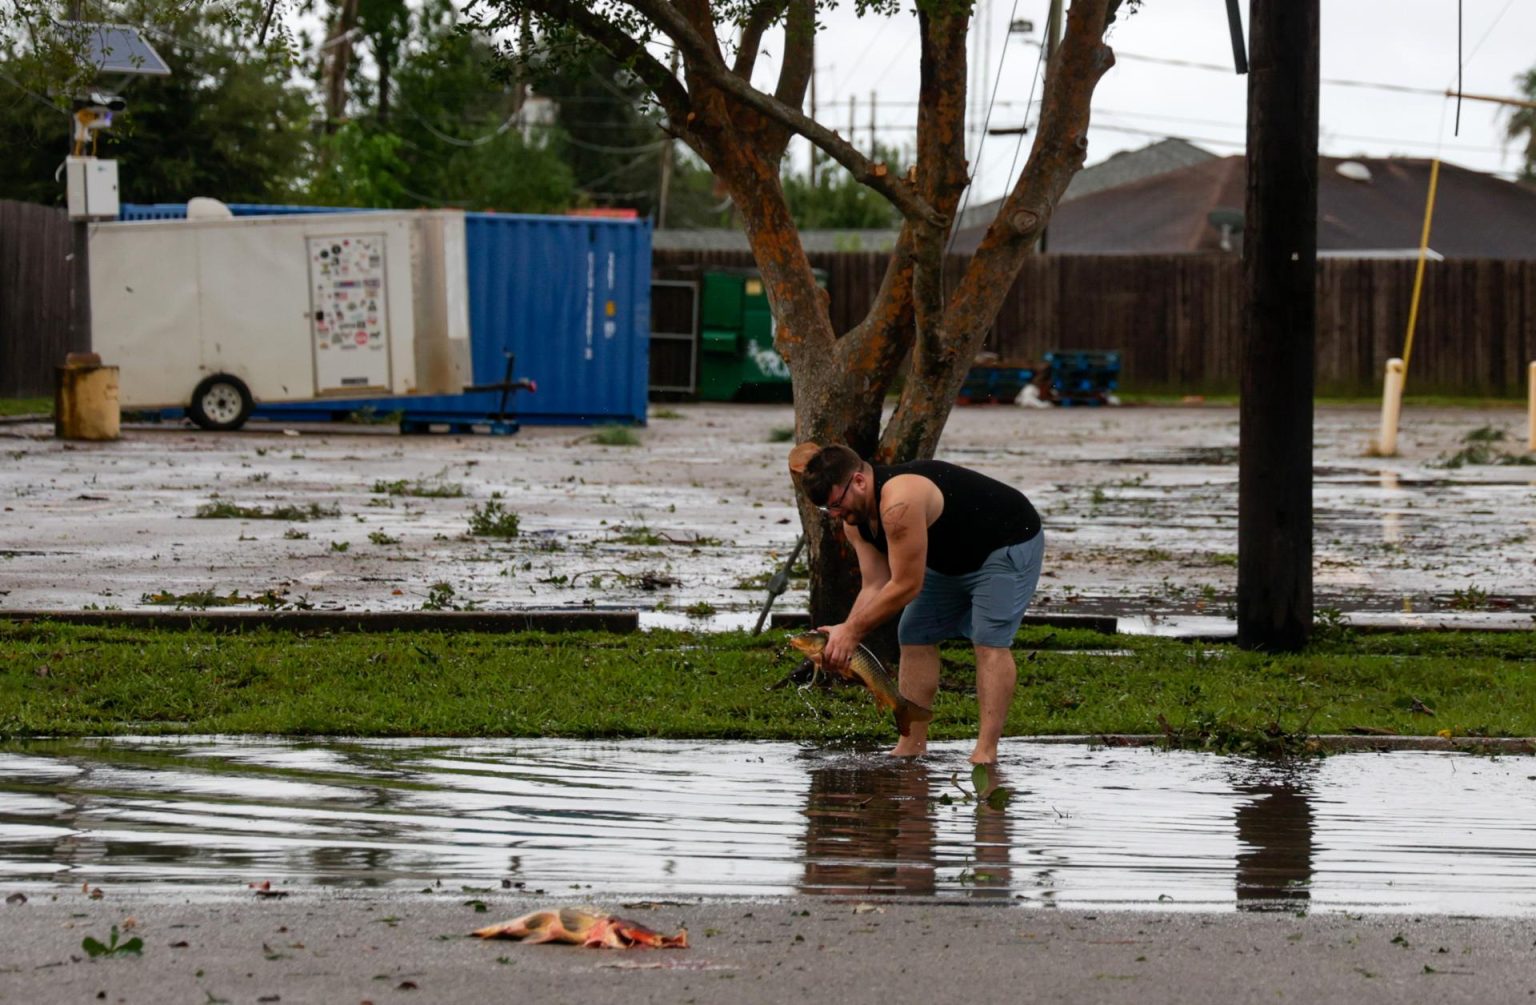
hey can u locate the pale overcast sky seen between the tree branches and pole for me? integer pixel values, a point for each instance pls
(1400, 44)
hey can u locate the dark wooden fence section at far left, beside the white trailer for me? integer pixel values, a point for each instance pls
(35, 297)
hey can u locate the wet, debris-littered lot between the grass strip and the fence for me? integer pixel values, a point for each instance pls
(1140, 509)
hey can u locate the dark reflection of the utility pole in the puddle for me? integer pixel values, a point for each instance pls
(1274, 829)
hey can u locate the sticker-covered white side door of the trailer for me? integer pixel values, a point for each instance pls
(349, 311)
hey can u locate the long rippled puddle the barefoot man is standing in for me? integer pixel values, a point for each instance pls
(1087, 828)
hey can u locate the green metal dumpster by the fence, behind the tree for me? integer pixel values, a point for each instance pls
(737, 328)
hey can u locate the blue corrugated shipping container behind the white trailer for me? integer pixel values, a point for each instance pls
(568, 296)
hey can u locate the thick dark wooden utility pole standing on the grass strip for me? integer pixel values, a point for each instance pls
(1280, 253)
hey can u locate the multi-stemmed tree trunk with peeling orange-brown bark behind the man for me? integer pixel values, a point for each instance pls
(841, 380)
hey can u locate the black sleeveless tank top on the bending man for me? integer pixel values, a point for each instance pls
(981, 516)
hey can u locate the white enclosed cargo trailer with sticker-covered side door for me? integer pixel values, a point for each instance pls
(216, 316)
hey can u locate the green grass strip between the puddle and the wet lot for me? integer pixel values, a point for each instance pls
(78, 680)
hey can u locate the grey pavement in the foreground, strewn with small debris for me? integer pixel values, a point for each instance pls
(382, 947)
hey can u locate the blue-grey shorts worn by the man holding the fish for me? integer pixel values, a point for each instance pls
(984, 606)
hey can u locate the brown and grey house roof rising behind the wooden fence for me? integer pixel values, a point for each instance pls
(1374, 211)
